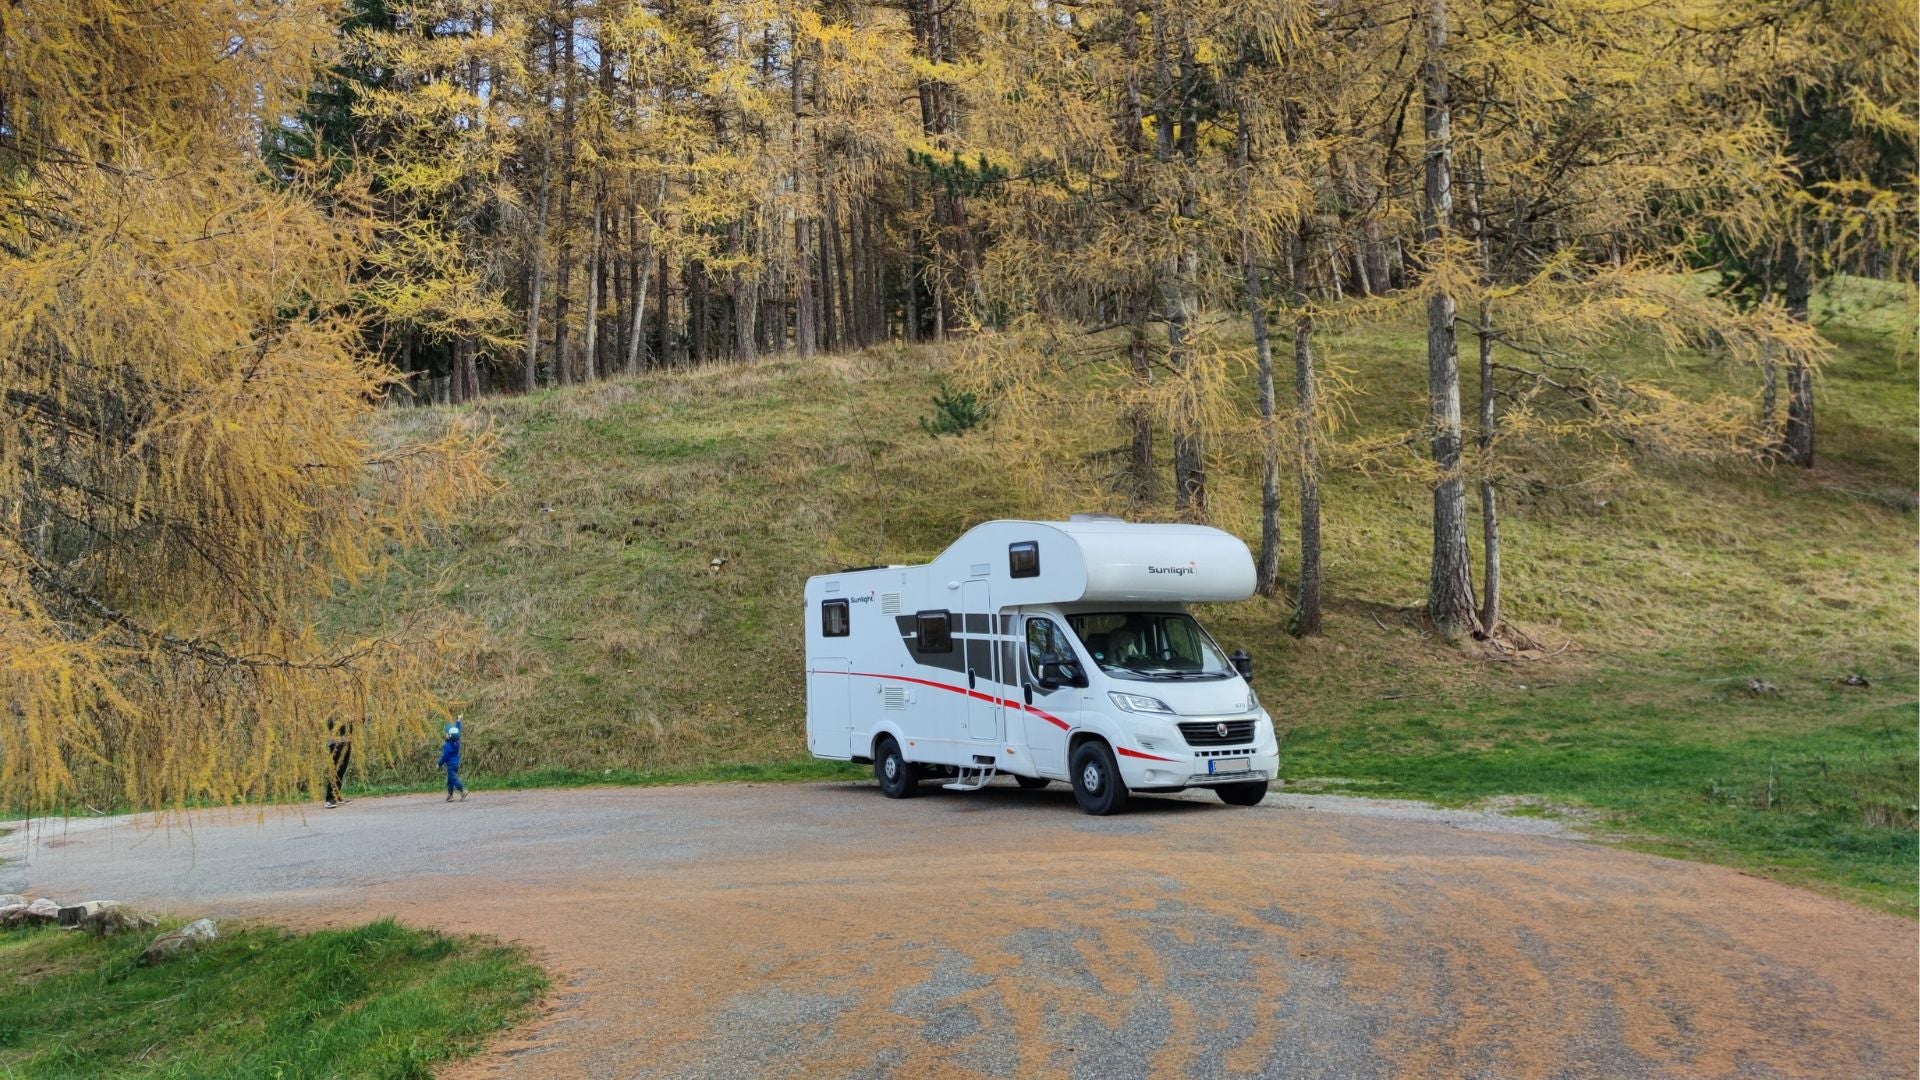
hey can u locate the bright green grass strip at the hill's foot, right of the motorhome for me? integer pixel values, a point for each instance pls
(1815, 787)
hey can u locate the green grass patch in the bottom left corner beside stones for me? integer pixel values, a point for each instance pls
(377, 1002)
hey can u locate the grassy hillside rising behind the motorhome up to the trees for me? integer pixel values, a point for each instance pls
(635, 599)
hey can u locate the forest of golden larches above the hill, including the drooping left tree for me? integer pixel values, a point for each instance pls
(233, 232)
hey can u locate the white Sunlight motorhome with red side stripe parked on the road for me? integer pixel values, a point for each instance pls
(1047, 650)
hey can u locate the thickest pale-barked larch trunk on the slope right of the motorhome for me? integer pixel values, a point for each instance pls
(1451, 583)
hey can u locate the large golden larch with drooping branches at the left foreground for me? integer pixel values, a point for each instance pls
(183, 406)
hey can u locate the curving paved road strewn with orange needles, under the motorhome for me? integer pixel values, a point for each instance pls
(746, 931)
